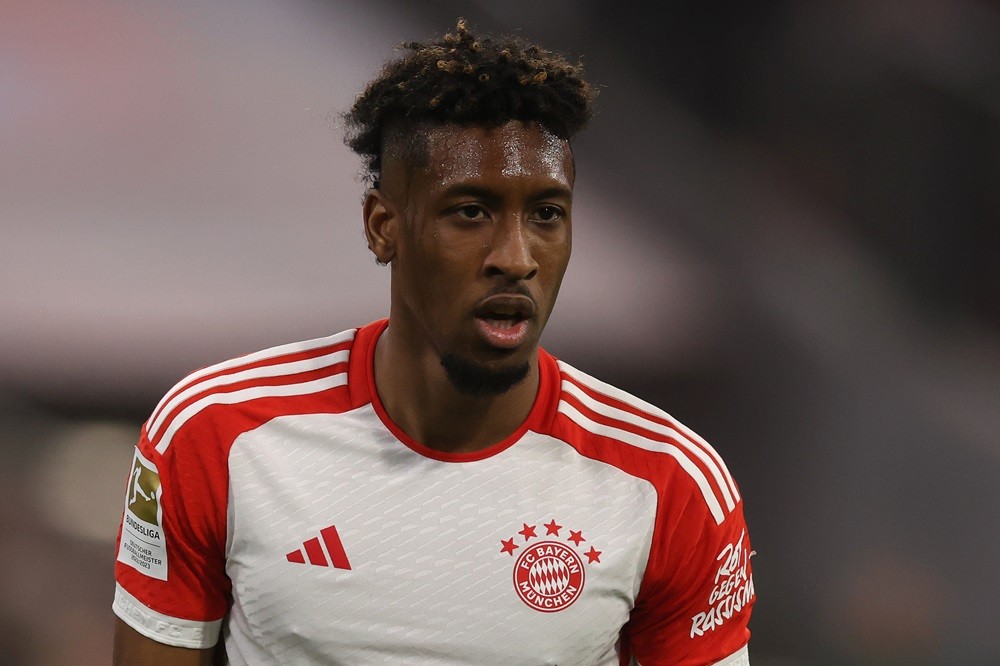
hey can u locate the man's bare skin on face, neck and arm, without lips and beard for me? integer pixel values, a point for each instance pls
(490, 214)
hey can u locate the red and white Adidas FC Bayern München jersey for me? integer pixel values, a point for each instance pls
(272, 500)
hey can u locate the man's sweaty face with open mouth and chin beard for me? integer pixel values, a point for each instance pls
(478, 241)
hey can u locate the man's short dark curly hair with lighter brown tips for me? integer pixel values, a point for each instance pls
(467, 80)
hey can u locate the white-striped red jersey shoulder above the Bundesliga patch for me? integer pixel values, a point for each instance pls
(235, 395)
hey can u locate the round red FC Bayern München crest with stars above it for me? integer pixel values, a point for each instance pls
(548, 575)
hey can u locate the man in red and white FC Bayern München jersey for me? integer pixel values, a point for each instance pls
(435, 488)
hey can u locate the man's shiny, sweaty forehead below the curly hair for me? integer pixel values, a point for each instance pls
(511, 151)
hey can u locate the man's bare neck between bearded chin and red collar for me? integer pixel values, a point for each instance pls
(421, 400)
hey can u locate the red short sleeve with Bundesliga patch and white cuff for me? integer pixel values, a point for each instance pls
(171, 584)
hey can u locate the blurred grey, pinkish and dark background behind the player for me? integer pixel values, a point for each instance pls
(786, 236)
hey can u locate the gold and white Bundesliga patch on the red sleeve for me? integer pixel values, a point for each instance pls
(143, 546)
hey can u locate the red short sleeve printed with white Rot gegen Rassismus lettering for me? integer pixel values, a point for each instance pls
(694, 604)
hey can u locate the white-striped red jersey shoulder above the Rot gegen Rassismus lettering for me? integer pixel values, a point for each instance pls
(607, 423)
